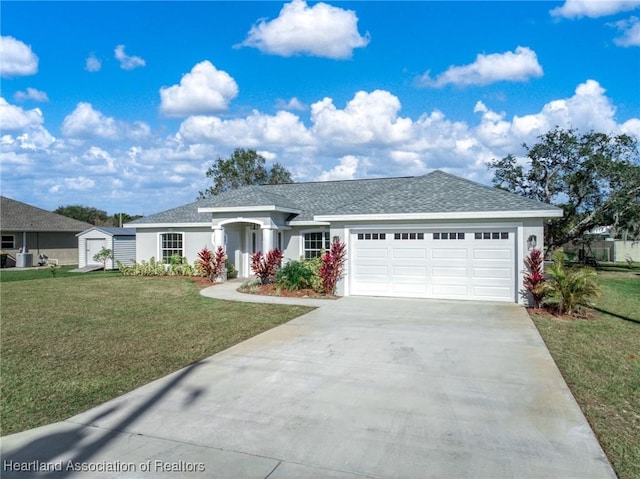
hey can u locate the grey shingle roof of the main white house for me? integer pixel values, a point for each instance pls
(435, 192)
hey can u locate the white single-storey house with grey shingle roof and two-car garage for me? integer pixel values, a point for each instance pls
(431, 236)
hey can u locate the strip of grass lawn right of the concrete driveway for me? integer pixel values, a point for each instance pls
(599, 359)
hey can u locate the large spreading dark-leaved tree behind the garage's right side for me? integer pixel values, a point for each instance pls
(593, 177)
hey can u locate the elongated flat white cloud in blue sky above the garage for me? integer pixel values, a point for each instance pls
(519, 65)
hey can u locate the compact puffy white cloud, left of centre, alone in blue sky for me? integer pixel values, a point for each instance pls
(204, 90)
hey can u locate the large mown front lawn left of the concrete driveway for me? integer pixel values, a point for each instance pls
(71, 343)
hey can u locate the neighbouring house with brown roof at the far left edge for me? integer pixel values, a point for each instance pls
(27, 229)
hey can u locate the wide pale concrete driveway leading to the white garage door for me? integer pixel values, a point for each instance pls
(361, 387)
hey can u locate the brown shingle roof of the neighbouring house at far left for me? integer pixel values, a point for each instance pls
(18, 216)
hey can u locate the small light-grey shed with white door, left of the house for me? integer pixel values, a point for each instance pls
(121, 242)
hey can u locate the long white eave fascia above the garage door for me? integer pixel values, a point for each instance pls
(456, 215)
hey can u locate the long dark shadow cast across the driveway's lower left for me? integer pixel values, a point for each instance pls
(46, 451)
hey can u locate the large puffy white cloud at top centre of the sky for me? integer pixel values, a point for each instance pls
(321, 30)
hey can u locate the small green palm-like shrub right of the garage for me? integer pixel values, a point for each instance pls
(568, 288)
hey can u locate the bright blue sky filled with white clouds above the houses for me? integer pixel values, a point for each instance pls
(123, 105)
